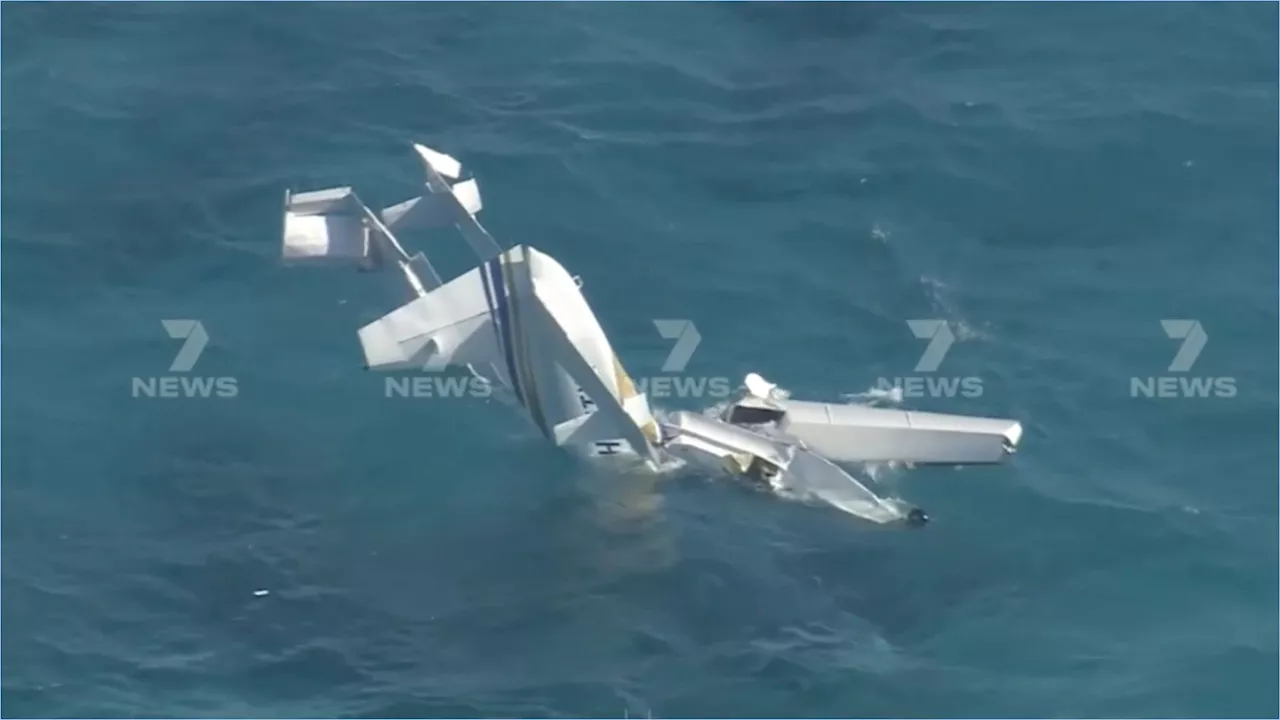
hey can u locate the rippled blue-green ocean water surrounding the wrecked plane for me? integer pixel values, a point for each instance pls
(799, 181)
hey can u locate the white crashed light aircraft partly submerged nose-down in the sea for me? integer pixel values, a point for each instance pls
(519, 322)
